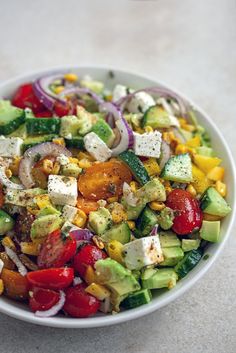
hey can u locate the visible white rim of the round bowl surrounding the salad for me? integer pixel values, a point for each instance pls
(21, 311)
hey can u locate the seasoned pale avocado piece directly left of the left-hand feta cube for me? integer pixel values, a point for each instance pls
(23, 197)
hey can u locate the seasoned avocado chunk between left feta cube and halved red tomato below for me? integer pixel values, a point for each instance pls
(44, 225)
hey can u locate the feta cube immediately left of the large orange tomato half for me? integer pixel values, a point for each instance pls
(62, 190)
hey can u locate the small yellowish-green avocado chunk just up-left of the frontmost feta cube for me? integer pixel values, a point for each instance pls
(120, 232)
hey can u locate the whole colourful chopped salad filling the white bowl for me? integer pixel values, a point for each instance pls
(105, 195)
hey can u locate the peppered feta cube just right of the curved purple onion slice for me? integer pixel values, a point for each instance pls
(147, 144)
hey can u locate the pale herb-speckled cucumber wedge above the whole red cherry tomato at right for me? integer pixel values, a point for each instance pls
(178, 168)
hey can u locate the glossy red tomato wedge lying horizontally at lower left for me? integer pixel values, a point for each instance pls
(52, 278)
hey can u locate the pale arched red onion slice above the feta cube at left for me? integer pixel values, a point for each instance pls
(39, 151)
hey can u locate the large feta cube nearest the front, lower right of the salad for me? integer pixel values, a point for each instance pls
(142, 252)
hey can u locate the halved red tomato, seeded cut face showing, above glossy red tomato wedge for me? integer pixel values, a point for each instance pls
(56, 250)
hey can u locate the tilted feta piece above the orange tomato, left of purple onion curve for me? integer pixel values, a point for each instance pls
(96, 147)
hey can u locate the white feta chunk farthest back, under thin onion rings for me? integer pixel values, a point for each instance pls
(140, 102)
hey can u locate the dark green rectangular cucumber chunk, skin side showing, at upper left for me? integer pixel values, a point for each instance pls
(40, 126)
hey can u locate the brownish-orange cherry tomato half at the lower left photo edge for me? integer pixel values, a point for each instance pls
(16, 286)
